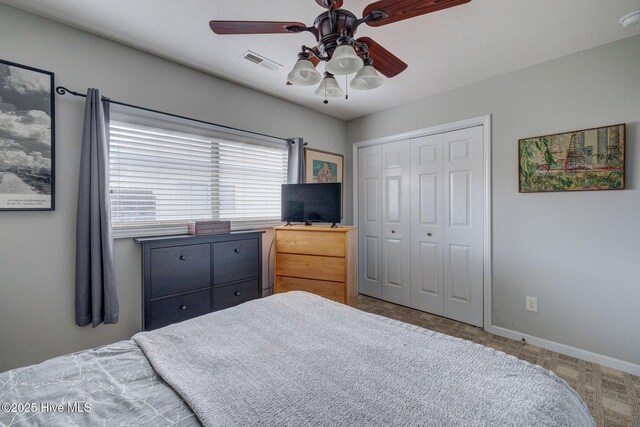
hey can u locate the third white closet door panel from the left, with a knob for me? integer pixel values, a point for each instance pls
(426, 224)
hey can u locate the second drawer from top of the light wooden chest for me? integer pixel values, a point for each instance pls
(310, 267)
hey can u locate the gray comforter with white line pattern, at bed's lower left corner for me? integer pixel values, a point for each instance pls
(116, 382)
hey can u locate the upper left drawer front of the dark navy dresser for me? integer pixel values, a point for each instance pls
(180, 269)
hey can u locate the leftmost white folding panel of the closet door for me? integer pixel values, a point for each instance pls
(370, 220)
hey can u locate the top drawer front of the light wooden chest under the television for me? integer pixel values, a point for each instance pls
(328, 243)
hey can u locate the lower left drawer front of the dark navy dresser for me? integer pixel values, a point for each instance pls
(176, 309)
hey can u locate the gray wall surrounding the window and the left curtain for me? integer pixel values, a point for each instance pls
(37, 249)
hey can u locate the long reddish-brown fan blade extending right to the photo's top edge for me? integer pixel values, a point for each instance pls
(399, 10)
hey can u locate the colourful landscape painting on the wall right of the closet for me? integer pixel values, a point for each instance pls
(583, 160)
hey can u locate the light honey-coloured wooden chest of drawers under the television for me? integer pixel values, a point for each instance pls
(317, 259)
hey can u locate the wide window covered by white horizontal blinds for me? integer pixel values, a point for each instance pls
(164, 174)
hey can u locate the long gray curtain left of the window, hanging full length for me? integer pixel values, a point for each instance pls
(96, 299)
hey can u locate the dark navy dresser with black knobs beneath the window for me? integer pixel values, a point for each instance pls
(184, 276)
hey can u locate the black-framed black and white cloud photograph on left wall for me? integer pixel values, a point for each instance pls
(27, 130)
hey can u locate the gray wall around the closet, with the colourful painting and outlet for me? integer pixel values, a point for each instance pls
(578, 253)
